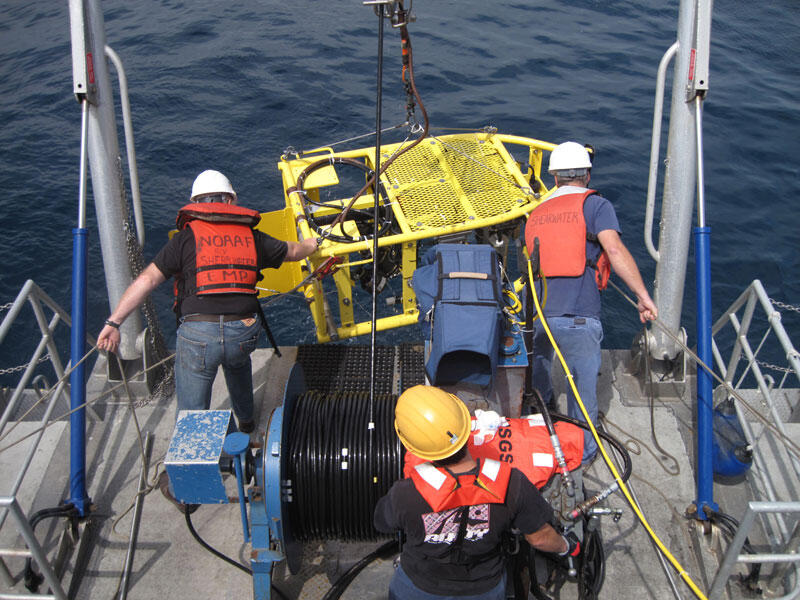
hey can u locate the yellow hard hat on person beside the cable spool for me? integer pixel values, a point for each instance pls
(431, 423)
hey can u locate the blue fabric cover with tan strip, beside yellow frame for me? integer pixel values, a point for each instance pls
(459, 293)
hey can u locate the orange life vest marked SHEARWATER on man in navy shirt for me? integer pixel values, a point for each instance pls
(560, 225)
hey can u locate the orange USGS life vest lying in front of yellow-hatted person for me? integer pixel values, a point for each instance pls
(524, 444)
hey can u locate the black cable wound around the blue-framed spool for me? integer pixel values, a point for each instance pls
(331, 502)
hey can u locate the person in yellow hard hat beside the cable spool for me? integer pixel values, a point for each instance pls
(454, 508)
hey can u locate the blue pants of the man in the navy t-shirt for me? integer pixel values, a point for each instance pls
(579, 339)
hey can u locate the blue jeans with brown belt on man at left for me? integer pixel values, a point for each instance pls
(200, 349)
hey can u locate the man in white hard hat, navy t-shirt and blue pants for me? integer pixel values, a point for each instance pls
(578, 243)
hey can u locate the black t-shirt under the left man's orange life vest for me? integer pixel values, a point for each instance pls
(177, 259)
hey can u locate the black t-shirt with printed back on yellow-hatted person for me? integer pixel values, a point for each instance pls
(430, 558)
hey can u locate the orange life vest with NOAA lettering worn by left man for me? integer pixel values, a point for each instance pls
(226, 260)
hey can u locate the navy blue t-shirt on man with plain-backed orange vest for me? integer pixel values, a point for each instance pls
(579, 295)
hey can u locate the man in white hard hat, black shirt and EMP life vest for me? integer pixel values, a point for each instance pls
(216, 258)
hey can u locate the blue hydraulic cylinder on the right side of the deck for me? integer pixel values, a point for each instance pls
(705, 400)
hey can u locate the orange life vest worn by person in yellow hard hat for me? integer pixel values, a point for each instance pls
(442, 490)
